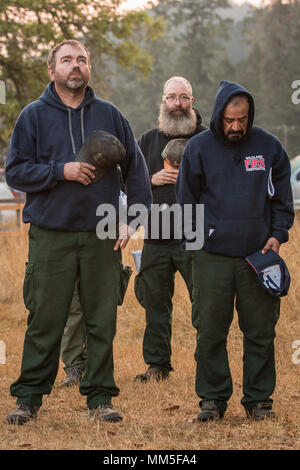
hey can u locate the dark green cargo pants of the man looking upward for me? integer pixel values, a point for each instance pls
(55, 261)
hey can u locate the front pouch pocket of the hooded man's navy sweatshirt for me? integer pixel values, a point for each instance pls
(236, 237)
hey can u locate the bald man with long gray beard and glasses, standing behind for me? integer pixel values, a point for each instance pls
(162, 257)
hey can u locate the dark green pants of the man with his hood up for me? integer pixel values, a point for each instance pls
(218, 282)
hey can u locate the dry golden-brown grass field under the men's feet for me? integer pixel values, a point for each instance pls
(156, 416)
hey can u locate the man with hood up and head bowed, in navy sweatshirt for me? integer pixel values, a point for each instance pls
(241, 174)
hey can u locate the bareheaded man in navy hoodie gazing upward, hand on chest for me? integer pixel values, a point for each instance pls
(61, 206)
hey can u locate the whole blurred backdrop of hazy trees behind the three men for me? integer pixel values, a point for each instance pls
(134, 53)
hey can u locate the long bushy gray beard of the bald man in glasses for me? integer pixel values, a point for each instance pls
(183, 124)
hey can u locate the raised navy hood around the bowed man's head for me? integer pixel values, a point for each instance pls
(226, 91)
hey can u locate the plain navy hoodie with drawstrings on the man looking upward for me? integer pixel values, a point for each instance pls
(49, 134)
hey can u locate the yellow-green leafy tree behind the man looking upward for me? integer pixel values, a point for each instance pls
(29, 28)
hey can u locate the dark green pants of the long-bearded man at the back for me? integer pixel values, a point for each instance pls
(154, 288)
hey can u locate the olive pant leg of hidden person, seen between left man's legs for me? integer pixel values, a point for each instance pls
(73, 344)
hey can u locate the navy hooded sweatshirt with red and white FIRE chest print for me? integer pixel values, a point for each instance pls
(245, 187)
